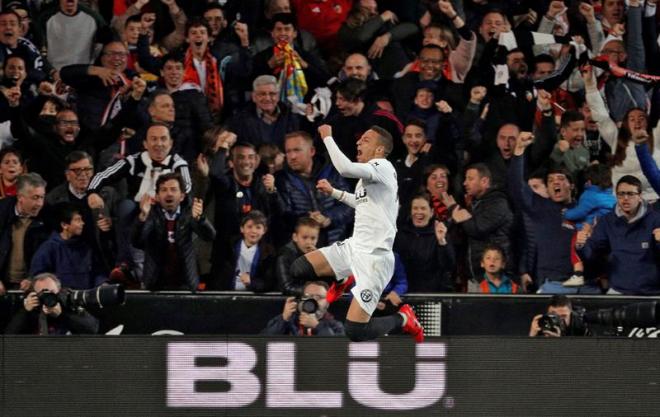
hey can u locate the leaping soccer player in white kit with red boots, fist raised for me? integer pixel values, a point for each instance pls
(366, 257)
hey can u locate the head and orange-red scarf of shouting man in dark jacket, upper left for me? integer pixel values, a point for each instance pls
(201, 67)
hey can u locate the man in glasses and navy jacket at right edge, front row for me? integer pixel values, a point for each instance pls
(630, 235)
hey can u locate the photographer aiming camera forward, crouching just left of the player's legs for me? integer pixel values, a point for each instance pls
(306, 316)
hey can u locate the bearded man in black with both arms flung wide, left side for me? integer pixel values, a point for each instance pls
(47, 146)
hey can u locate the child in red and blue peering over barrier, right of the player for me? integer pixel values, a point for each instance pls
(495, 281)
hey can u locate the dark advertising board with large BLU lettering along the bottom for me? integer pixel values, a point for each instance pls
(195, 376)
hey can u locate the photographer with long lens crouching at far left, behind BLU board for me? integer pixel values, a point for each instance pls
(43, 313)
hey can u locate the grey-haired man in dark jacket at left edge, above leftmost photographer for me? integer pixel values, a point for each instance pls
(21, 231)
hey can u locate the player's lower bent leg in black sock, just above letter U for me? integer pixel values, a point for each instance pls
(361, 327)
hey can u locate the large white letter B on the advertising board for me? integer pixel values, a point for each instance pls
(183, 373)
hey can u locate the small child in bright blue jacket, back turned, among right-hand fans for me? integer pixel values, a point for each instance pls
(597, 200)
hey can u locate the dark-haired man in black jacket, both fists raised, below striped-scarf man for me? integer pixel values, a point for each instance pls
(164, 230)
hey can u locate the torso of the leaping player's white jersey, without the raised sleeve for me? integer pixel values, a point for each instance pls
(376, 208)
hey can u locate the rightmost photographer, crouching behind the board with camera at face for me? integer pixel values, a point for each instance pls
(559, 320)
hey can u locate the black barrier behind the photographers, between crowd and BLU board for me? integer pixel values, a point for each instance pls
(244, 313)
